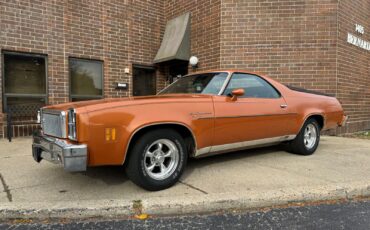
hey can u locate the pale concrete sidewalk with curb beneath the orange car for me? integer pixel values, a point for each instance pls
(255, 178)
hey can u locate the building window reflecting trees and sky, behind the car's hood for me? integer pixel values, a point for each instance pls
(86, 79)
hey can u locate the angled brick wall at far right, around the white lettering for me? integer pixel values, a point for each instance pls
(354, 64)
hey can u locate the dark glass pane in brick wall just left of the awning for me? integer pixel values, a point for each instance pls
(144, 81)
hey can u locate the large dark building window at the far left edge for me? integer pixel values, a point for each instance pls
(24, 80)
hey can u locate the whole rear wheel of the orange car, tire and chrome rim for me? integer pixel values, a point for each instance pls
(308, 138)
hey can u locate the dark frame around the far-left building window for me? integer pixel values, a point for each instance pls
(23, 95)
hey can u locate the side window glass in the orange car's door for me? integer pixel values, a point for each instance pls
(254, 86)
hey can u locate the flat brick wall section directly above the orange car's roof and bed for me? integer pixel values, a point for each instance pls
(292, 41)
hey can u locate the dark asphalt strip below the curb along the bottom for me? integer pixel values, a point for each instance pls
(349, 215)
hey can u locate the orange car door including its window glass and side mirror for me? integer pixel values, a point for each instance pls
(260, 114)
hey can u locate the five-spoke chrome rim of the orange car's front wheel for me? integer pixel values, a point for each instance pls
(161, 159)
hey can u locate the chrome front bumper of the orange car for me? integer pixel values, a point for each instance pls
(72, 157)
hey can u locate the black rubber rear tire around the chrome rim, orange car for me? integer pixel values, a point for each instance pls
(299, 145)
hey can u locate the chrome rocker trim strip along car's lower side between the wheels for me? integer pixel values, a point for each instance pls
(217, 149)
